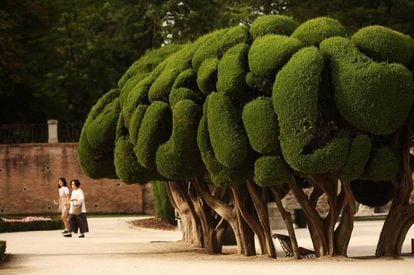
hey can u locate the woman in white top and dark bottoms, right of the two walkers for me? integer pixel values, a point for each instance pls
(77, 220)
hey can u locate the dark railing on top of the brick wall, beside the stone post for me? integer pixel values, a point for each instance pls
(38, 133)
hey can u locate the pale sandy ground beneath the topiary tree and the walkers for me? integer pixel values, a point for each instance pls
(114, 247)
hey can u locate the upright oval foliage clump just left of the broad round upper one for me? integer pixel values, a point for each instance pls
(231, 71)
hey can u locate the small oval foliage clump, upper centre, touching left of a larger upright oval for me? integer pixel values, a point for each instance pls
(207, 75)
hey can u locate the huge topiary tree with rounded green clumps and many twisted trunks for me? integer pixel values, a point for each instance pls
(249, 111)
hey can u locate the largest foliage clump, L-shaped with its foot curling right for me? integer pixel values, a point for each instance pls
(295, 99)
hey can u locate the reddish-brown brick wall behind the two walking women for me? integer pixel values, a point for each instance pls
(28, 182)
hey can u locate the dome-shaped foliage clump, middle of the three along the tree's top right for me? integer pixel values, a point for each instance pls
(314, 31)
